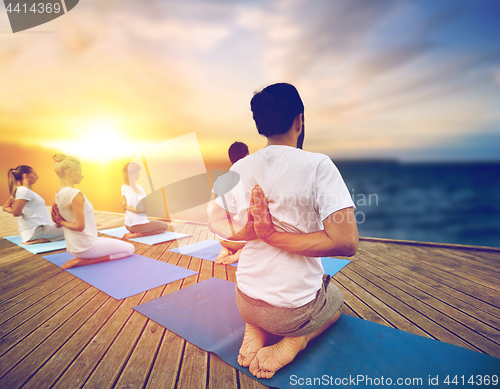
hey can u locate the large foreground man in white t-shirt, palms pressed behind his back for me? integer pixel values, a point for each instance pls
(294, 208)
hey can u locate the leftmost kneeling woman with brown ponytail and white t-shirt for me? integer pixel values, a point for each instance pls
(35, 225)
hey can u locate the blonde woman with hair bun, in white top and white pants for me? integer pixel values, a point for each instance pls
(75, 213)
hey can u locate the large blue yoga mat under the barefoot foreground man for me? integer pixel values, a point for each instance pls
(353, 351)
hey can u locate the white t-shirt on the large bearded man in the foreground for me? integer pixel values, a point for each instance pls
(303, 189)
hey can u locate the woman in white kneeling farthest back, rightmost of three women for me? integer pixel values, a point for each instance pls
(133, 203)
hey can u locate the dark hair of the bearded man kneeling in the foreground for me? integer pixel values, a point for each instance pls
(275, 108)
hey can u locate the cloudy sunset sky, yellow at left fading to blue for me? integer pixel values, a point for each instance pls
(388, 79)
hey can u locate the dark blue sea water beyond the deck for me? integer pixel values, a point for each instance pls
(433, 202)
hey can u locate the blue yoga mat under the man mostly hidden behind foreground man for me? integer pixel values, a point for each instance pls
(209, 249)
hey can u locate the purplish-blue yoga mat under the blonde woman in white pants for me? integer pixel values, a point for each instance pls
(124, 277)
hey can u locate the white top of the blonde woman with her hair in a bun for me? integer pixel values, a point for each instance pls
(77, 241)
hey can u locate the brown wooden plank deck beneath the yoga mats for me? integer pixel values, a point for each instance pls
(57, 331)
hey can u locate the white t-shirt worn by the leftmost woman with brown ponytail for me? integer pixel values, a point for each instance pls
(35, 212)
